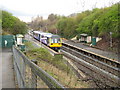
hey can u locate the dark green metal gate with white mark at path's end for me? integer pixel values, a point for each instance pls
(7, 41)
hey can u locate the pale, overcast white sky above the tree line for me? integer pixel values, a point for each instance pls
(26, 9)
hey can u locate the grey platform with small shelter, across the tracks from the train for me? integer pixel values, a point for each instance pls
(110, 55)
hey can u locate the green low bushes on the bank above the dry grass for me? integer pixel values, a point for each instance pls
(43, 54)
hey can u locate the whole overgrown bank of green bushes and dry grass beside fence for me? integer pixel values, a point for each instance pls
(55, 66)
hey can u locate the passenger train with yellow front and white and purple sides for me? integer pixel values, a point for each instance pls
(51, 40)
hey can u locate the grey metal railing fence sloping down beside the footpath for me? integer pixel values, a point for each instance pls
(29, 75)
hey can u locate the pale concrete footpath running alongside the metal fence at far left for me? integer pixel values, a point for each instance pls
(8, 80)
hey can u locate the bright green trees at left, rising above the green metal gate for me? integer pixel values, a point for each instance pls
(11, 24)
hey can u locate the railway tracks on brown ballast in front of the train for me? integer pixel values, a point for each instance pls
(103, 71)
